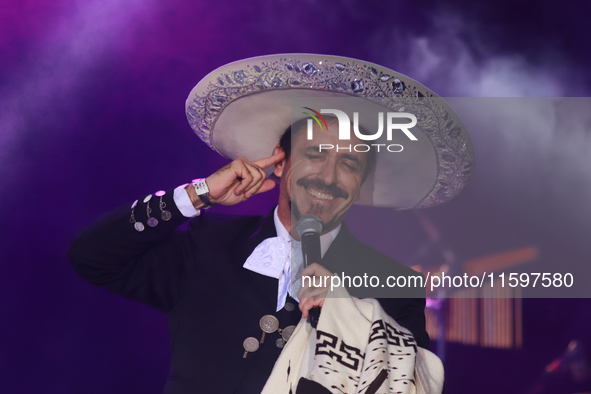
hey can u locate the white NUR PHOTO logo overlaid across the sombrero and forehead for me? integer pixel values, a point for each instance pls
(345, 129)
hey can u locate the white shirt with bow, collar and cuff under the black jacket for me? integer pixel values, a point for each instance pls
(273, 256)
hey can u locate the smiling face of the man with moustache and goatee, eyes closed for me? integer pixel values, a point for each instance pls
(325, 183)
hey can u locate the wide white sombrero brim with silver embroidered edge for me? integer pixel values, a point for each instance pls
(242, 109)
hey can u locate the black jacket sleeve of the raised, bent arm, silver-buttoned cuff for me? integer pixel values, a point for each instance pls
(147, 266)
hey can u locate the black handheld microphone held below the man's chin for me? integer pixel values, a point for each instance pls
(309, 228)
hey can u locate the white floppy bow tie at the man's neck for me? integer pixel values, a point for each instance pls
(272, 258)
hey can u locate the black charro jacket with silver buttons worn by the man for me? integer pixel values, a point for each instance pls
(213, 304)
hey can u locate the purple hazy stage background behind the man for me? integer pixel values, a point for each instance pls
(92, 116)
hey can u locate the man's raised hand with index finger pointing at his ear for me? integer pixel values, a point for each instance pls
(237, 181)
